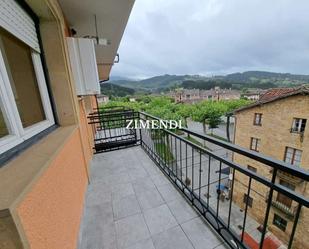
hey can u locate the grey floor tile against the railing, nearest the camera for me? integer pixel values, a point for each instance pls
(200, 234)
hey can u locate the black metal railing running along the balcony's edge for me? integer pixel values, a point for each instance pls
(212, 175)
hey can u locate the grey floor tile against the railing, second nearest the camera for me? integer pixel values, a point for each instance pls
(182, 210)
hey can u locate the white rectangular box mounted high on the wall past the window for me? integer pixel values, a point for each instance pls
(84, 65)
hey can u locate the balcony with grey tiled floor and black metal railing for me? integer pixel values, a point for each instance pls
(152, 188)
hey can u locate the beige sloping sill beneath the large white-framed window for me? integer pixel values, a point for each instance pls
(16, 175)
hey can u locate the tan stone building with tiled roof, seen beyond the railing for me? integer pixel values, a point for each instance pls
(275, 126)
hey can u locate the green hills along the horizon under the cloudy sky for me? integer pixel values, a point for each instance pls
(249, 79)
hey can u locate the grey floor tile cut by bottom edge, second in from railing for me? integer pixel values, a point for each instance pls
(173, 238)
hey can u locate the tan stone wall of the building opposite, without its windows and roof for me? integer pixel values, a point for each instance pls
(277, 118)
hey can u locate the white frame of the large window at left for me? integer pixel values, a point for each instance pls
(18, 133)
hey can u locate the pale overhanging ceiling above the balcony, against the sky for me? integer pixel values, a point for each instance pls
(112, 17)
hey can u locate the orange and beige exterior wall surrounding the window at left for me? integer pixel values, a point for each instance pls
(42, 189)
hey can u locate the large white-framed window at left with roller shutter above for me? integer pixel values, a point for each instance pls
(25, 108)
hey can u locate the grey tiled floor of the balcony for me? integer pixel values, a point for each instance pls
(131, 204)
